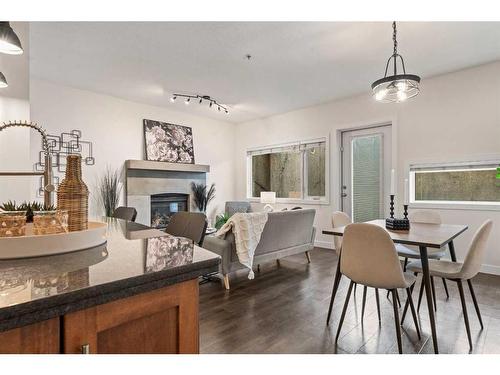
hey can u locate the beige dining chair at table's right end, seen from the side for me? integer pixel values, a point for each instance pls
(459, 272)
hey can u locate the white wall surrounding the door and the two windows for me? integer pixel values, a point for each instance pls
(455, 117)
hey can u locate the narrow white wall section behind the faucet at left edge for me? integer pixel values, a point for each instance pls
(14, 151)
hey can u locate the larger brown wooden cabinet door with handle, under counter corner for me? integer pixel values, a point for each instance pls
(161, 321)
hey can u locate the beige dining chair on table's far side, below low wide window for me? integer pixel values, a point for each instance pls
(424, 217)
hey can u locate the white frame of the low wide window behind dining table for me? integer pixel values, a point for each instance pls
(480, 164)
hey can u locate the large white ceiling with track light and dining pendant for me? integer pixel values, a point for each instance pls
(293, 64)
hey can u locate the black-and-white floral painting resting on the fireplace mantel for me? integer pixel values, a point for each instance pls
(168, 142)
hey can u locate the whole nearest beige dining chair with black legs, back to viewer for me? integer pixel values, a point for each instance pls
(369, 258)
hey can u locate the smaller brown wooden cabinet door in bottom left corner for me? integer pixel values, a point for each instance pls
(37, 338)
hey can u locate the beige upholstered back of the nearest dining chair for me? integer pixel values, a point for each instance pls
(370, 258)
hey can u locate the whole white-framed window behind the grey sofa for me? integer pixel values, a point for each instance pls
(294, 171)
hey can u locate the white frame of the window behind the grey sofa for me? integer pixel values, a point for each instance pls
(304, 198)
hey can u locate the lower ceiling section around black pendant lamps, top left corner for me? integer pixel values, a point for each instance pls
(16, 67)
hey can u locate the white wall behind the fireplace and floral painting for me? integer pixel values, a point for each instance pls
(115, 128)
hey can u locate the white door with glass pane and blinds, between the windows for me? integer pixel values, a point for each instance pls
(366, 167)
